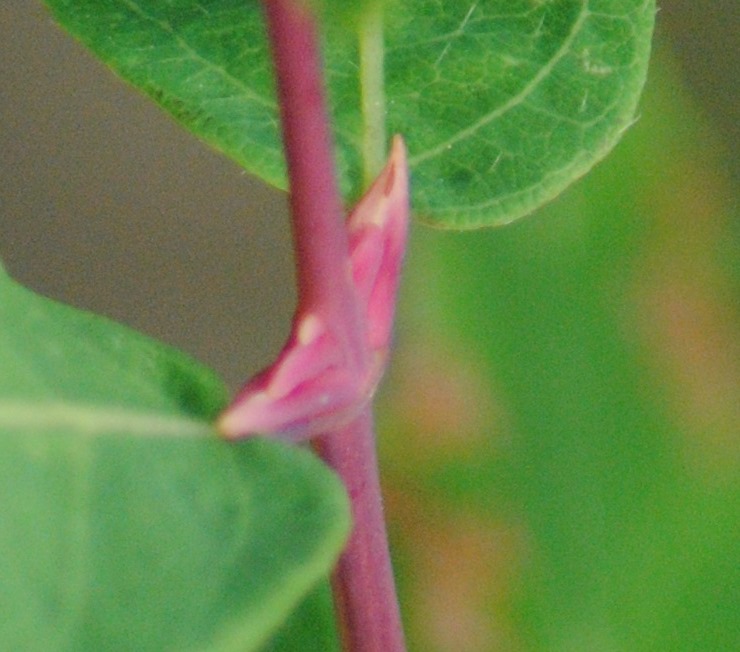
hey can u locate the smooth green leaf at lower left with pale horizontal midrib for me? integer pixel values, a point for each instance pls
(126, 523)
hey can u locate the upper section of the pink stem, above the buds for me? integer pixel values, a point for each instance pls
(320, 239)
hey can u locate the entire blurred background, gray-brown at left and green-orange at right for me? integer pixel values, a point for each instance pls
(560, 431)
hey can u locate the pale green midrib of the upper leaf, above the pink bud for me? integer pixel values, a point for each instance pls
(372, 91)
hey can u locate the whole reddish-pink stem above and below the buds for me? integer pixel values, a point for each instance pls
(365, 598)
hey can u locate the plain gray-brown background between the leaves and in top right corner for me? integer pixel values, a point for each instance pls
(105, 203)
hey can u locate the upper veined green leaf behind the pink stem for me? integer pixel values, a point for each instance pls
(503, 103)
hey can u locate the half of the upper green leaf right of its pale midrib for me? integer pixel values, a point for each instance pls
(506, 103)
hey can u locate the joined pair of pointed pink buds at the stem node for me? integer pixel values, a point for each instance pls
(312, 388)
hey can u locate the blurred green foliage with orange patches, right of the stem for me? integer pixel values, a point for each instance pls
(562, 431)
